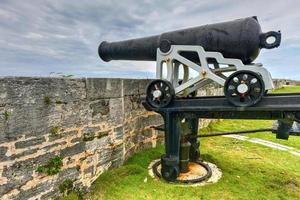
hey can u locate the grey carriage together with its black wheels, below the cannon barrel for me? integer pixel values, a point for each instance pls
(208, 73)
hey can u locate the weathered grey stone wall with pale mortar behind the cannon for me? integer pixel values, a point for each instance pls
(90, 125)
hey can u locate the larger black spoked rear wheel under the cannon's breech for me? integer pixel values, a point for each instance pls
(244, 88)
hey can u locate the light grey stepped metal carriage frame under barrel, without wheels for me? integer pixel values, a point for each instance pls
(209, 72)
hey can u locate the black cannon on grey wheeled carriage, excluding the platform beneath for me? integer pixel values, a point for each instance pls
(221, 53)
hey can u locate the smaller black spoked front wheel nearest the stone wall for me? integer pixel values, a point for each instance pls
(160, 93)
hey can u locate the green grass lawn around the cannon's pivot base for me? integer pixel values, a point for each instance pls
(250, 171)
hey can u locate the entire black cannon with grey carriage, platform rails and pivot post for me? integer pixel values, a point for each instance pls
(221, 53)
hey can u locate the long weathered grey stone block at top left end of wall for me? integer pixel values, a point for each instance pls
(23, 90)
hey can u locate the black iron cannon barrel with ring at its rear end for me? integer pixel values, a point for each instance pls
(241, 39)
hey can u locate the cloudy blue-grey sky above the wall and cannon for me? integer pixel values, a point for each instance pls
(61, 37)
